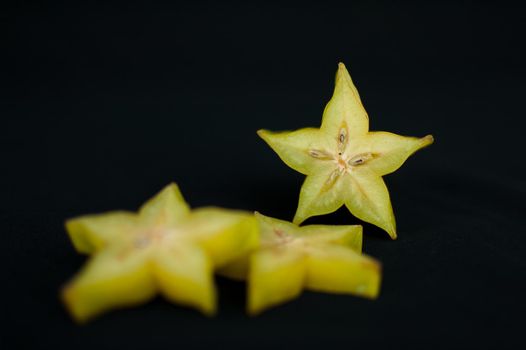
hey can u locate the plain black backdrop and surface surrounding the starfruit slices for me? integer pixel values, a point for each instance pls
(103, 105)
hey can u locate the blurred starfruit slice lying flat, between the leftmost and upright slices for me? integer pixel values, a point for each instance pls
(289, 258)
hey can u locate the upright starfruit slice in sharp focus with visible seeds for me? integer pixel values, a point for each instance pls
(344, 161)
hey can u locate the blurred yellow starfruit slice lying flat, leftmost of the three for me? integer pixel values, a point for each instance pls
(165, 248)
